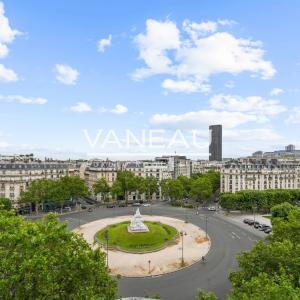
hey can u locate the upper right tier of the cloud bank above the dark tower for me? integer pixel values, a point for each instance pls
(251, 104)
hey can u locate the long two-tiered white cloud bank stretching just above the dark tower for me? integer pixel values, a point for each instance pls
(230, 111)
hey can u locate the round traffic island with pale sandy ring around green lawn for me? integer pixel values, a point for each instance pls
(169, 245)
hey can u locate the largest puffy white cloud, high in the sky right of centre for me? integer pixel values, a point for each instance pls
(194, 58)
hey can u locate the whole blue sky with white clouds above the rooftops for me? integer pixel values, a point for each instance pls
(66, 66)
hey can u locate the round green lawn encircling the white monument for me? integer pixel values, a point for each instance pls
(159, 236)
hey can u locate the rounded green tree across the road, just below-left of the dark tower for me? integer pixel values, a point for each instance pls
(201, 189)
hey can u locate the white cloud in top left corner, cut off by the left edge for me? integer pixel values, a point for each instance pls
(7, 34)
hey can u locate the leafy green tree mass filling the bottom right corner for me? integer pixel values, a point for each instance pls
(271, 269)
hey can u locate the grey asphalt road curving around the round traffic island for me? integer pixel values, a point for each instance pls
(227, 240)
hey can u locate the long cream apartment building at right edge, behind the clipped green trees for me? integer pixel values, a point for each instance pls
(260, 174)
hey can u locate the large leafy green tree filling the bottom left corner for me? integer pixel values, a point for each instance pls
(43, 260)
